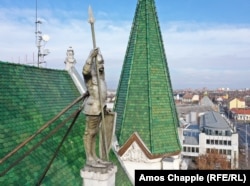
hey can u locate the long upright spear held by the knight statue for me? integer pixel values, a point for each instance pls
(103, 132)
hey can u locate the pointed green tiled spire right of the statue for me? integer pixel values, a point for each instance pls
(145, 102)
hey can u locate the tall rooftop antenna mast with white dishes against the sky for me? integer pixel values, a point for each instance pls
(41, 40)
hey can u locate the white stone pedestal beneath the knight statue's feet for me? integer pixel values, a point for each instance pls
(99, 176)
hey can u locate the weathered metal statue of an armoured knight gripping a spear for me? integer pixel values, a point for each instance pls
(92, 104)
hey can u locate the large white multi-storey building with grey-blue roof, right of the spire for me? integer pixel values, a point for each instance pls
(212, 131)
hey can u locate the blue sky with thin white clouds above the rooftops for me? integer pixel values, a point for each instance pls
(207, 42)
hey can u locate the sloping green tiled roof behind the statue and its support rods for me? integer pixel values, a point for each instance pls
(31, 97)
